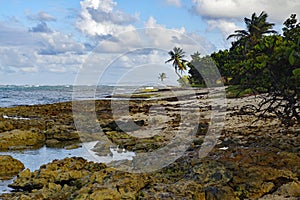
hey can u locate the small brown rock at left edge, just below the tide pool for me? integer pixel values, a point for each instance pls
(9, 167)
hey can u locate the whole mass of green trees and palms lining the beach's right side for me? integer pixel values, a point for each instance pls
(259, 61)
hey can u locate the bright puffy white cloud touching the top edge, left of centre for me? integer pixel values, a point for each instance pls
(99, 18)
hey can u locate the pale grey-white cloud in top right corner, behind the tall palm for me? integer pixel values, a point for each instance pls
(224, 14)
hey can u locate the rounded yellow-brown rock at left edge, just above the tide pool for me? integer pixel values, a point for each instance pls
(21, 139)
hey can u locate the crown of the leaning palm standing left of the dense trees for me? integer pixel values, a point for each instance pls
(177, 55)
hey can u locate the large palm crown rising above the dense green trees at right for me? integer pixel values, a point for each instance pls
(257, 26)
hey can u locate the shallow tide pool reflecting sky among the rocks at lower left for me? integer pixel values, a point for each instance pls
(33, 159)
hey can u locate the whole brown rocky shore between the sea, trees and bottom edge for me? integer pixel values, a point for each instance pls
(249, 159)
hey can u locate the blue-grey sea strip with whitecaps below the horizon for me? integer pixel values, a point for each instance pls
(11, 95)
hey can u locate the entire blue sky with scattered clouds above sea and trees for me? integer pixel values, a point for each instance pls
(116, 42)
